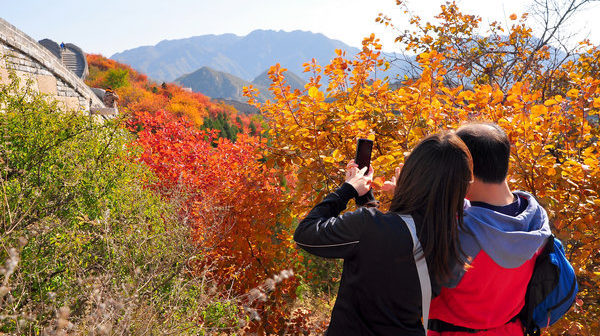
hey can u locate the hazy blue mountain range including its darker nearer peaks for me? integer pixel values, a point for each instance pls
(219, 66)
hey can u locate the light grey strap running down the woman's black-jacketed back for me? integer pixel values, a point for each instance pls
(422, 269)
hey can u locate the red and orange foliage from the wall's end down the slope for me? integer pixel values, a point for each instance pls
(235, 207)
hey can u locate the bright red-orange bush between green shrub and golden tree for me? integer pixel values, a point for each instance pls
(233, 203)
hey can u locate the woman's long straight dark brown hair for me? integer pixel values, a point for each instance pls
(433, 183)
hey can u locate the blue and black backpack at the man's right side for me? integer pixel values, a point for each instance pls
(551, 290)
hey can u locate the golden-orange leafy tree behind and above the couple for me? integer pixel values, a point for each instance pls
(549, 112)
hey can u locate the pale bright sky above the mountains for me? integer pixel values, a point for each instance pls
(110, 26)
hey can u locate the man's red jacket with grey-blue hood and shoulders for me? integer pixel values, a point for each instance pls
(501, 250)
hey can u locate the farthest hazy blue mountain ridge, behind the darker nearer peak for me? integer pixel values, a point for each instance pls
(242, 56)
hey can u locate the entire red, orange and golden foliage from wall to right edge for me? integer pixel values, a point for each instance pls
(242, 198)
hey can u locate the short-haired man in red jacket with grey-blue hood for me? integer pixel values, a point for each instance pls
(504, 232)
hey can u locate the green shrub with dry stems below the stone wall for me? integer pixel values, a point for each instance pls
(85, 246)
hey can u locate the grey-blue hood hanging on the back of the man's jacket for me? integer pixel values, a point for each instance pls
(509, 241)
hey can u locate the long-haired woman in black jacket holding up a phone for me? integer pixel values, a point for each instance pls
(379, 291)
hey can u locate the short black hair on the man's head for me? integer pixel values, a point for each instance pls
(490, 150)
